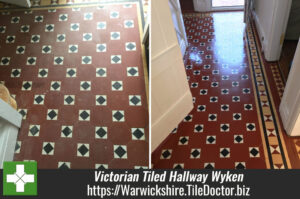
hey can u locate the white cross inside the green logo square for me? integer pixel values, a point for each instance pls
(20, 178)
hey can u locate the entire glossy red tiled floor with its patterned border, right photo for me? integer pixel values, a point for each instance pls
(235, 121)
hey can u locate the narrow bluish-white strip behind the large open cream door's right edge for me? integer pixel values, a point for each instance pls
(178, 24)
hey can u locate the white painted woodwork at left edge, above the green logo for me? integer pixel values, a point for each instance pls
(10, 122)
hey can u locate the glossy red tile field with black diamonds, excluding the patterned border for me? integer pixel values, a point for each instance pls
(223, 129)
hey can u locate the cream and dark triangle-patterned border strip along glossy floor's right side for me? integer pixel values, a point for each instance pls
(273, 133)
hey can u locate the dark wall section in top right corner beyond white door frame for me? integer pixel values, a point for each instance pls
(293, 29)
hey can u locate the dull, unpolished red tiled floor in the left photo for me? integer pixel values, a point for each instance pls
(77, 76)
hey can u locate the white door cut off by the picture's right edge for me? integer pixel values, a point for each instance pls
(290, 103)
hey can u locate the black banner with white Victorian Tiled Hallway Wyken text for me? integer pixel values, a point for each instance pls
(165, 183)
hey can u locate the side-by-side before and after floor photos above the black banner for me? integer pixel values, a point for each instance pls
(150, 84)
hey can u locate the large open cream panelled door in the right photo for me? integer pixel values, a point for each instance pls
(171, 98)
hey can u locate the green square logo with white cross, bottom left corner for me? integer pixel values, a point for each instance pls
(20, 178)
